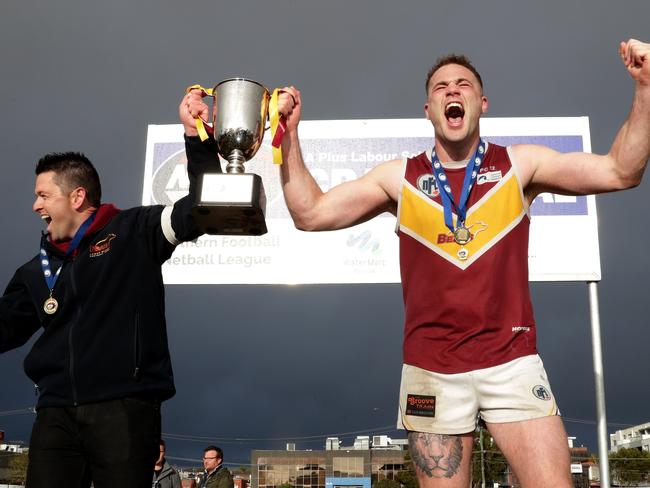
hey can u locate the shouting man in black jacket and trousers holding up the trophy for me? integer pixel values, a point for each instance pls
(101, 364)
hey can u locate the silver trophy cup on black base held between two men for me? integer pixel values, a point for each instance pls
(234, 202)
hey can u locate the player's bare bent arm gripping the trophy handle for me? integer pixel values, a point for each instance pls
(345, 205)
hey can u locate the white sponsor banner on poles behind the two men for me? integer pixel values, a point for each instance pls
(564, 238)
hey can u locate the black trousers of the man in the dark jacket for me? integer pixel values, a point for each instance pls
(111, 444)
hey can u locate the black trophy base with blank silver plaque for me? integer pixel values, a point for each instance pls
(230, 204)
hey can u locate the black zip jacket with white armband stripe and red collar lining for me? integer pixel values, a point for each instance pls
(108, 337)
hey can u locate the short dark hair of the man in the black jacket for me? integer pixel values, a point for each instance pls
(72, 170)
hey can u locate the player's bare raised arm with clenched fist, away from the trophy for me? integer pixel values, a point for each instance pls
(546, 170)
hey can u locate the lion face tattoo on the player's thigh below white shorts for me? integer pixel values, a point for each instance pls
(436, 455)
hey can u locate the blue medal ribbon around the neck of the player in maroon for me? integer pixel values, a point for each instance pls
(471, 172)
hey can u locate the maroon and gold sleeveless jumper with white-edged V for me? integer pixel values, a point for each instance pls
(471, 313)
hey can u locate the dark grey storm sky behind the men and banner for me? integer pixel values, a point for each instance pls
(275, 362)
